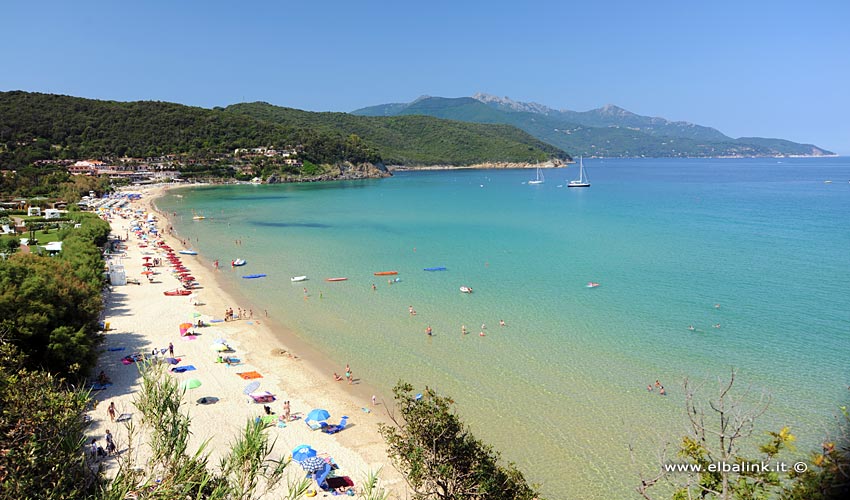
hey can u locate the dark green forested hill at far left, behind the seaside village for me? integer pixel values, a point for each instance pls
(45, 126)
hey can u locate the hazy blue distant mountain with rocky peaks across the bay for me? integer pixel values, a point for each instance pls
(609, 131)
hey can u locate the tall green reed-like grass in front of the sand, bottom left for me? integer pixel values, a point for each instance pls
(171, 471)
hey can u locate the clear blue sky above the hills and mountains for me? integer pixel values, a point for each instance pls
(748, 68)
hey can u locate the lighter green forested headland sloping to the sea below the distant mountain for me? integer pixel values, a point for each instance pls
(416, 140)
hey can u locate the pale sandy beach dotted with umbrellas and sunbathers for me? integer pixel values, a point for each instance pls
(141, 318)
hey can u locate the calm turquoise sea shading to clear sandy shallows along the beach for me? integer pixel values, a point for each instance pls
(561, 390)
